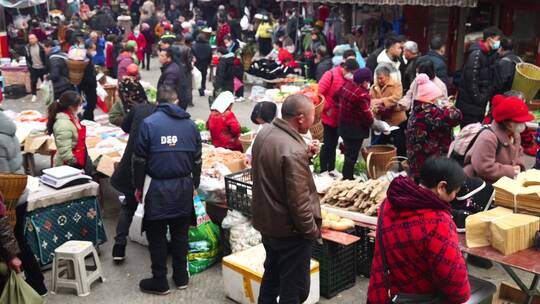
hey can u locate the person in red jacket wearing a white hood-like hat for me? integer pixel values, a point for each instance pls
(222, 123)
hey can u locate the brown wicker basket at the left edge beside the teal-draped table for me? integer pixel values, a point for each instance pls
(12, 187)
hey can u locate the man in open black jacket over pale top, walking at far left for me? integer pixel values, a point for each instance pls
(36, 60)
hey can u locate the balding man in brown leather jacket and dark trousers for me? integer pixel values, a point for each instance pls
(286, 207)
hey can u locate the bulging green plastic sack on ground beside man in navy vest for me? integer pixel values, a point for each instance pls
(204, 240)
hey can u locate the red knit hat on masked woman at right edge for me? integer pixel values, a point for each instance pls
(510, 108)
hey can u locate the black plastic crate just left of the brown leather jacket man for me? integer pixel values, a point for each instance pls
(238, 189)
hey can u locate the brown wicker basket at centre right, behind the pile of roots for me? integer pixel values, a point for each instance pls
(377, 158)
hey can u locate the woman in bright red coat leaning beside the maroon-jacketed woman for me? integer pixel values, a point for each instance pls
(330, 83)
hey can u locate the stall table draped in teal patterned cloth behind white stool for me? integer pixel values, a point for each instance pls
(55, 216)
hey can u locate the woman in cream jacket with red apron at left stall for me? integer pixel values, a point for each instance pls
(69, 133)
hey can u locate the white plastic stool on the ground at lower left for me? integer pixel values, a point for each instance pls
(77, 272)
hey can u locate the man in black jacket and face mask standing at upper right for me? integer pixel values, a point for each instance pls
(477, 85)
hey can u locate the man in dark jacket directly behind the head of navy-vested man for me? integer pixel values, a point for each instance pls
(171, 75)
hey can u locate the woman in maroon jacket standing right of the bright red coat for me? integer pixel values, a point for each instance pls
(355, 116)
